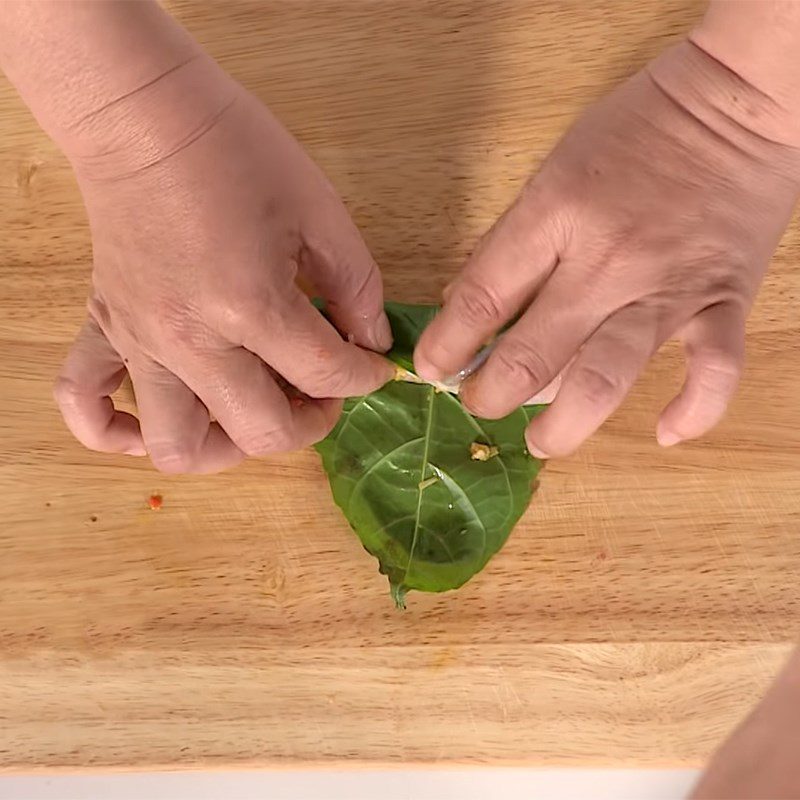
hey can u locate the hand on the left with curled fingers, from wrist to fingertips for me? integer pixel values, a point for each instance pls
(196, 251)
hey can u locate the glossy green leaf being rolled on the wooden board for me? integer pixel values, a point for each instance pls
(400, 466)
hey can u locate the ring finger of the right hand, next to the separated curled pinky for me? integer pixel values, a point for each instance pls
(597, 382)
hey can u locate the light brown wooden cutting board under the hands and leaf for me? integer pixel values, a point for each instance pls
(643, 604)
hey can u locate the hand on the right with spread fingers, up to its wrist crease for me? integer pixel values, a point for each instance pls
(656, 215)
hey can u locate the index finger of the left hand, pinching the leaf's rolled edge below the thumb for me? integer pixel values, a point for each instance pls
(306, 350)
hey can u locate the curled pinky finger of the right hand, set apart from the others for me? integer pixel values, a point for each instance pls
(714, 343)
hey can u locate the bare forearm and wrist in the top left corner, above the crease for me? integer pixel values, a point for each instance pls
(118, 85)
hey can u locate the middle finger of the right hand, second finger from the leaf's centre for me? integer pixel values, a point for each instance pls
(532, 353)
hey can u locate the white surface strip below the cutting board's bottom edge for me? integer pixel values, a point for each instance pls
(474, 784)
